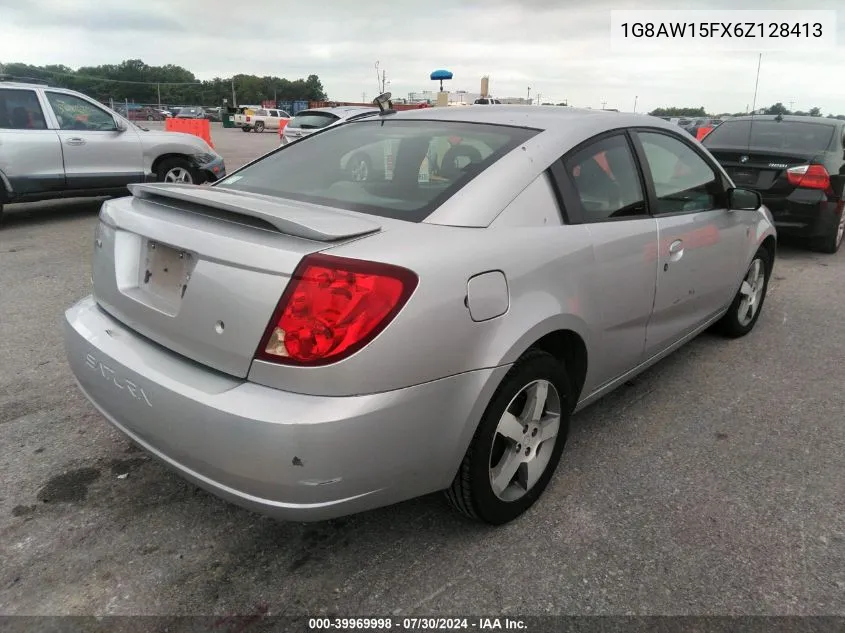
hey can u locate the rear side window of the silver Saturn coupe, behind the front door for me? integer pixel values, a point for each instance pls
(607, 180)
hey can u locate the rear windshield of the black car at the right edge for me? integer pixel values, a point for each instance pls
(768, 134)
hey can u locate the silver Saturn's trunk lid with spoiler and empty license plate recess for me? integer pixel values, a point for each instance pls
(200, 270)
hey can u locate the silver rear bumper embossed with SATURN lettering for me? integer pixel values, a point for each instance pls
(288, 455)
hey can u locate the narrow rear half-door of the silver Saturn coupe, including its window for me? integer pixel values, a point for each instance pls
(603, 188)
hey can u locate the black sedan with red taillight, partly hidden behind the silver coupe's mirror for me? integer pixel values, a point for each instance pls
(797, 163)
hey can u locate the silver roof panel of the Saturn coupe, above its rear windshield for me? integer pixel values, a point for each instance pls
(538, 117)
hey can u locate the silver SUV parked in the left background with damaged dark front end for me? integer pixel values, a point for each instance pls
(57, 143)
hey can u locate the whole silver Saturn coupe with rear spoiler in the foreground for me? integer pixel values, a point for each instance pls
(309, 346)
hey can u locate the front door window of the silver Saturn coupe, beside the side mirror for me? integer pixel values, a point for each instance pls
(683, 181)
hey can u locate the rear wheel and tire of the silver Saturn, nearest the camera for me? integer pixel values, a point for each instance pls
(518, 443)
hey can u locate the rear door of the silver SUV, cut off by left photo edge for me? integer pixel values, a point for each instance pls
(30, 152)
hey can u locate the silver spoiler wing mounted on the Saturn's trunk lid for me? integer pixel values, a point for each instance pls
(287, 216)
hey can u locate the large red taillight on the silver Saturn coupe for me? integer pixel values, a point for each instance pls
(333, 307)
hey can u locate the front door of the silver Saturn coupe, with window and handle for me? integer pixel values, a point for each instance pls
(701, 243)
